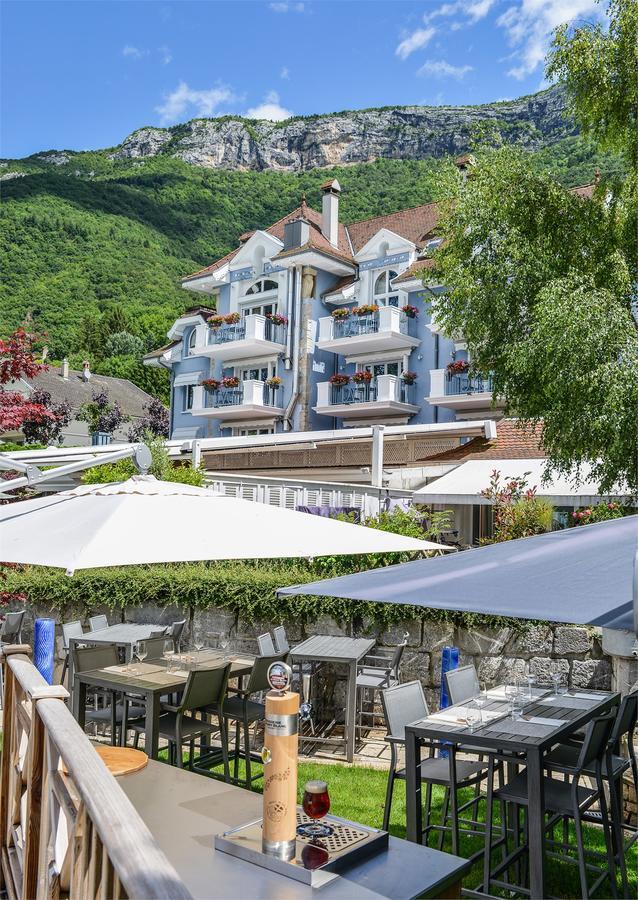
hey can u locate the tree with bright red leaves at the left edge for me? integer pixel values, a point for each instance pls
(18, 361)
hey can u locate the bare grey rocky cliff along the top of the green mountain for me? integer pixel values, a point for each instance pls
(407, 132)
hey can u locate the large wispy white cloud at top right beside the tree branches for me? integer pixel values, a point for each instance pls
(529, 26)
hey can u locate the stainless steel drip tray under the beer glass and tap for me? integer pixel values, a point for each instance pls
(315, 863)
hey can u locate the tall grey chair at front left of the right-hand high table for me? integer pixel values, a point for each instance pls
(406, 703)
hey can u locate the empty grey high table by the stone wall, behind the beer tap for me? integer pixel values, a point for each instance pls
(336, 649)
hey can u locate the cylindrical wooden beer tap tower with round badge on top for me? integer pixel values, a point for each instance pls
(280, 757)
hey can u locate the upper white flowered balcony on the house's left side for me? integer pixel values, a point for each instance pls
(252, 336)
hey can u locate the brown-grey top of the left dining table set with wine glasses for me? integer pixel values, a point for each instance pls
(153, 675)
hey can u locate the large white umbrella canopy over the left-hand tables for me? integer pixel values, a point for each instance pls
(143, 520)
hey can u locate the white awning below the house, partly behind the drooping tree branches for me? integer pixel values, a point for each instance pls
(464, 484)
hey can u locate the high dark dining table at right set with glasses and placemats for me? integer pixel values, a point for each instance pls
(570, 710)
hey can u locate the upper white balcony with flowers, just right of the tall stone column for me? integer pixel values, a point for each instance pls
(387, 329)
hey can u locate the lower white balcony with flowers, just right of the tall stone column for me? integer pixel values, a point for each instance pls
(385, 398)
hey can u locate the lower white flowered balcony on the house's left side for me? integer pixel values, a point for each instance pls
(251, 400)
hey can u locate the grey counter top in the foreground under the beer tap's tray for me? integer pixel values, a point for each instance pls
(184, 811)
